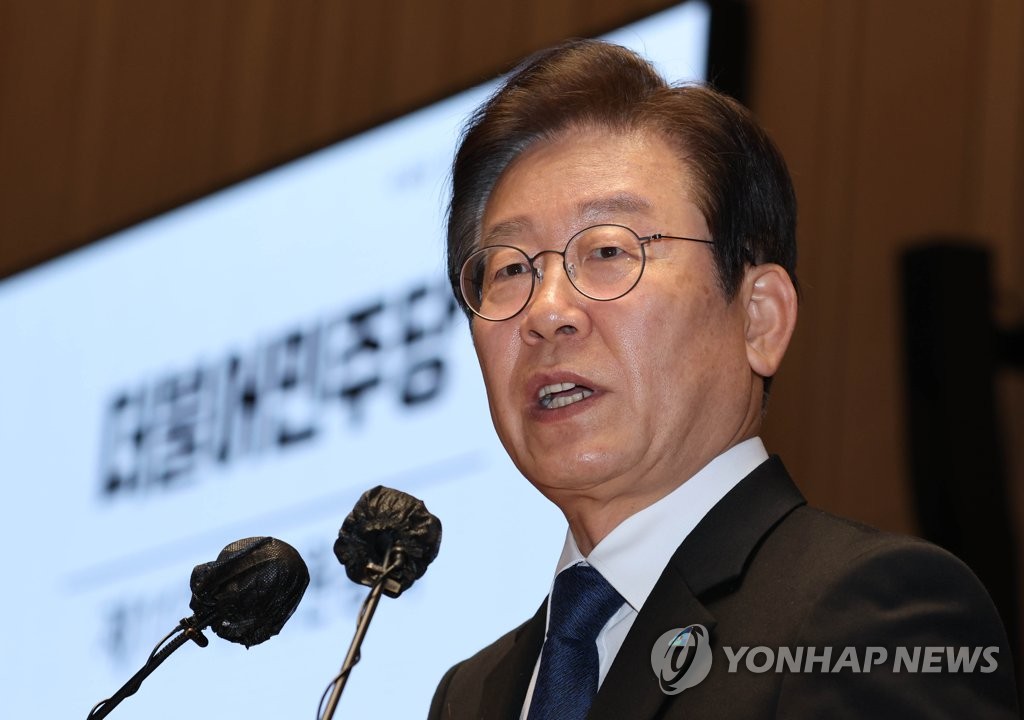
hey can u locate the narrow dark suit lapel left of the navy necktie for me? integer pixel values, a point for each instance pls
(505, 688)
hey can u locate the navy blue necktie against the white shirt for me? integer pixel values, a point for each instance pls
(582, 603)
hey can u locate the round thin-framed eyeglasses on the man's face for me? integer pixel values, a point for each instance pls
(604, 263)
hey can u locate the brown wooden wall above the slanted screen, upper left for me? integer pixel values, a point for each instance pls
(114, 110)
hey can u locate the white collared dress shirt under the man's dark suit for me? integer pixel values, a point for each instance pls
(633, 556)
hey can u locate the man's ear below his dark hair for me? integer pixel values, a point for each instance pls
(772, 316)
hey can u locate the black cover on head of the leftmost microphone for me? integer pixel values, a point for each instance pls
(251, 590)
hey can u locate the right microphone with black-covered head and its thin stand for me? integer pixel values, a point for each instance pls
(387, 543)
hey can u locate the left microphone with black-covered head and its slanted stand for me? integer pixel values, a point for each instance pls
(245, 597)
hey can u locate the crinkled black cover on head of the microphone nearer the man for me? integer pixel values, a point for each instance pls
(387, 520)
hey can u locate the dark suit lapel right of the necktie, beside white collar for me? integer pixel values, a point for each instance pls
(713, 557)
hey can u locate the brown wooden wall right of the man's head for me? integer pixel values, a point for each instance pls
(881, 110)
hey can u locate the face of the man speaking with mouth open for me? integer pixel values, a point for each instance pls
(658, 380)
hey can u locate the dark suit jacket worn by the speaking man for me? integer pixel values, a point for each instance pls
(764, 570)
